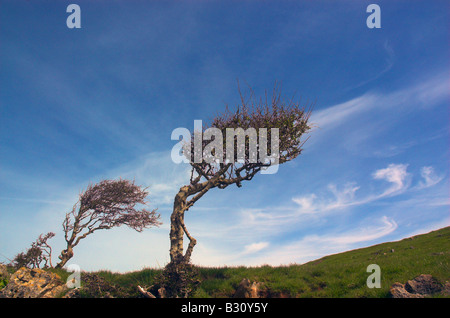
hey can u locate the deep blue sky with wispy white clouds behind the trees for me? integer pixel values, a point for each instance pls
(100, 102)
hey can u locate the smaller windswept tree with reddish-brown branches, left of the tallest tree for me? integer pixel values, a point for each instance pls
(107, 204)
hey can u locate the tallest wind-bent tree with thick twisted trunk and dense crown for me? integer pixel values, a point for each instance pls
(223, 154)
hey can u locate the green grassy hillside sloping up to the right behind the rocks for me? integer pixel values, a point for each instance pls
(339, 275)
